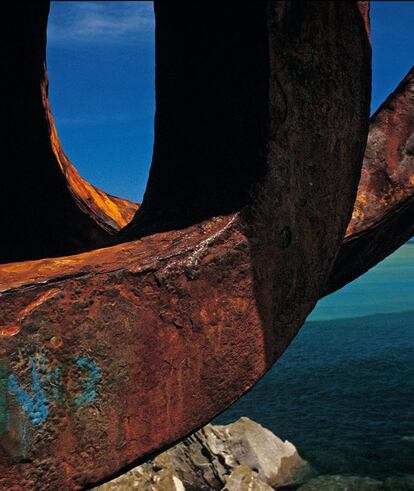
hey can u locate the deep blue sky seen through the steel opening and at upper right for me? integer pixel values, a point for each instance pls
(100, 60)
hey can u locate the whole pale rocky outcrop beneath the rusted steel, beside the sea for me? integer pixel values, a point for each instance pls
(242, 456)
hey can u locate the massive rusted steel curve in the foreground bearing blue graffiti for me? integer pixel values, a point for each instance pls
(109, 356)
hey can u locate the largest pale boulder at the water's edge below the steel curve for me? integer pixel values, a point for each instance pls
(211, 455)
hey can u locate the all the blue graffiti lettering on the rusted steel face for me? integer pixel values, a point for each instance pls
(46, 383)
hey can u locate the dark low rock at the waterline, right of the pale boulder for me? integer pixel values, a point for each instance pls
(342, 483)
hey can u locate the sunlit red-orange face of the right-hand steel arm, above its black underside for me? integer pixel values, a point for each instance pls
(387, 177)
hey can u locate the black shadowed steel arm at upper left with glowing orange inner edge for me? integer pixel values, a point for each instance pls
(47, 208)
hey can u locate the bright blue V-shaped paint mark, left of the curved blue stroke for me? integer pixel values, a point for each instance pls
(37, 407)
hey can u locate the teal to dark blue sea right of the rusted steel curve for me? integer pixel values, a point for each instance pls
(343, 392)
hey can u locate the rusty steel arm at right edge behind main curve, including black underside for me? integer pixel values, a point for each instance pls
(383, 216)
